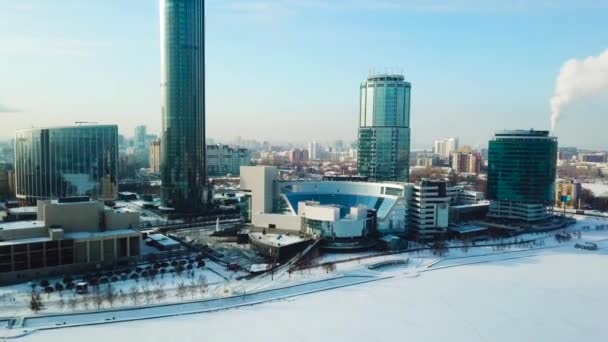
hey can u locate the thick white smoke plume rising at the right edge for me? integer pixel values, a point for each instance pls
(578, 79)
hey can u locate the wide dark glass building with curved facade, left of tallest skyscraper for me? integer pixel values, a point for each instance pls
(66, 162)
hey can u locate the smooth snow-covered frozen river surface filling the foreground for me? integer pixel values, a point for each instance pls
(551, 297)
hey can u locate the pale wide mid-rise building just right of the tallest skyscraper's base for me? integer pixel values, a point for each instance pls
(222, 160)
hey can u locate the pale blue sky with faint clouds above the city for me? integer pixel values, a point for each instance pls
(289, 70)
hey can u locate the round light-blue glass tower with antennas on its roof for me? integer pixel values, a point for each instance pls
(384, 128)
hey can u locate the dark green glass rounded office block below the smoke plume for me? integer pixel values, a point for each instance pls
(521, 174)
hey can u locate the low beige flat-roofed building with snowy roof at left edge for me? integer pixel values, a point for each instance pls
(68, 235)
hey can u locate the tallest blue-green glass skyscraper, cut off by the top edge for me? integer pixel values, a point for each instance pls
(182, 36)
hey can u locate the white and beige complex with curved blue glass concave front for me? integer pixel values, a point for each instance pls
(328, 209)
